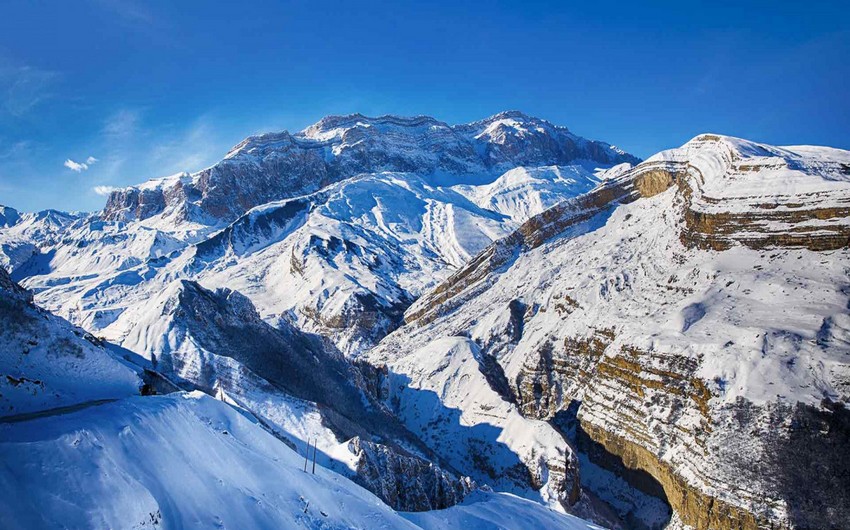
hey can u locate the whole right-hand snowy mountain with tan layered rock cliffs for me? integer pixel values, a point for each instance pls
(689, 317)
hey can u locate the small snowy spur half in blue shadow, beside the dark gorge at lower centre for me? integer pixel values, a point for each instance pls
(440, 394)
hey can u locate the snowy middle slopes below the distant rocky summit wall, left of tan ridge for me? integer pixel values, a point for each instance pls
(344, 262)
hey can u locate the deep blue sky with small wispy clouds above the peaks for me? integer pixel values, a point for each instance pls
(129, 90)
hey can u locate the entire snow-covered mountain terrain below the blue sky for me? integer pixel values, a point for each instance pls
(443, 311)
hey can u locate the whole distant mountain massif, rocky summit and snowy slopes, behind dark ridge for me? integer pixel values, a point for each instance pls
(341, 251)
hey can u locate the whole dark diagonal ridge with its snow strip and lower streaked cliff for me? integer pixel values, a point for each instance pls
(296, 384)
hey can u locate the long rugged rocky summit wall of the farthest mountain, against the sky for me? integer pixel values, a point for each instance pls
(277, 166)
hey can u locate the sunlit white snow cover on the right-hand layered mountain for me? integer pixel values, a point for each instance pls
(765, 325)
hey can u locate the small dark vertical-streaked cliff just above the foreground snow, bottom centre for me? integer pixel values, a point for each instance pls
(406, 483)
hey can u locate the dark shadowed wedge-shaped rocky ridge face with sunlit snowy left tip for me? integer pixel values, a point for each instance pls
(201, 337)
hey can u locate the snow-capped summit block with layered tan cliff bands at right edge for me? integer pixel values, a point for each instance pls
(719, 213)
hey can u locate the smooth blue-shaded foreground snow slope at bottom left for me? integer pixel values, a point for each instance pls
(189, 461)
